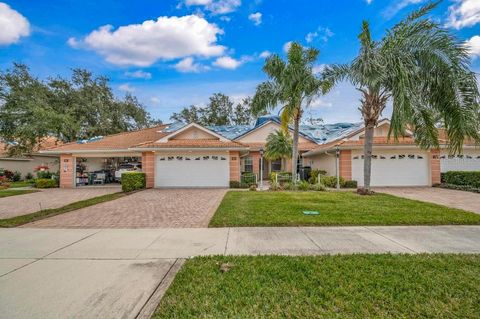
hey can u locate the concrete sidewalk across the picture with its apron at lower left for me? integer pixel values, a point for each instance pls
(111, 273)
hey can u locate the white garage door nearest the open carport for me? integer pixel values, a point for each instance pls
(184, 170)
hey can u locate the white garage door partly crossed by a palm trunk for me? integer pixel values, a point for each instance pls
(394, 168)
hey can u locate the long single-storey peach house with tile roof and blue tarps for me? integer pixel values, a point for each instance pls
(191, 155)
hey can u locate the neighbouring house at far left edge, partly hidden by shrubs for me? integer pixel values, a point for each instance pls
(28, 163)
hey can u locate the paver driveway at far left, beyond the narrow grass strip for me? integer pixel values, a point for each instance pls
(49, 198)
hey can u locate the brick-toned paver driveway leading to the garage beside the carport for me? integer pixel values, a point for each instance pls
(152, 208)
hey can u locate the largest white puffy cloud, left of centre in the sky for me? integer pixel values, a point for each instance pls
(167, 38)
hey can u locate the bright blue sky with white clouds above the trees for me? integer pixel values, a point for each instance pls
(175, 53)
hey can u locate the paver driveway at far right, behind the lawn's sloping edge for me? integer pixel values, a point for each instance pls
(447, 197)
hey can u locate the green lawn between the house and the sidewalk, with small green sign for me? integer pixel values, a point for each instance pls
(336, 208)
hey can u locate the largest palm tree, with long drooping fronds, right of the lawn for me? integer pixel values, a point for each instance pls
(423, 70)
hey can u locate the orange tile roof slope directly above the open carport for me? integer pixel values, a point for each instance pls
(116, 141)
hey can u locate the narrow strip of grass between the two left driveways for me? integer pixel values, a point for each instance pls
(24, 219)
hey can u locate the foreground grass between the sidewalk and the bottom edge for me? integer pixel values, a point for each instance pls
(348, 286)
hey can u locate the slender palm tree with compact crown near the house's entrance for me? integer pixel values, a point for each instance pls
(292, 85)
